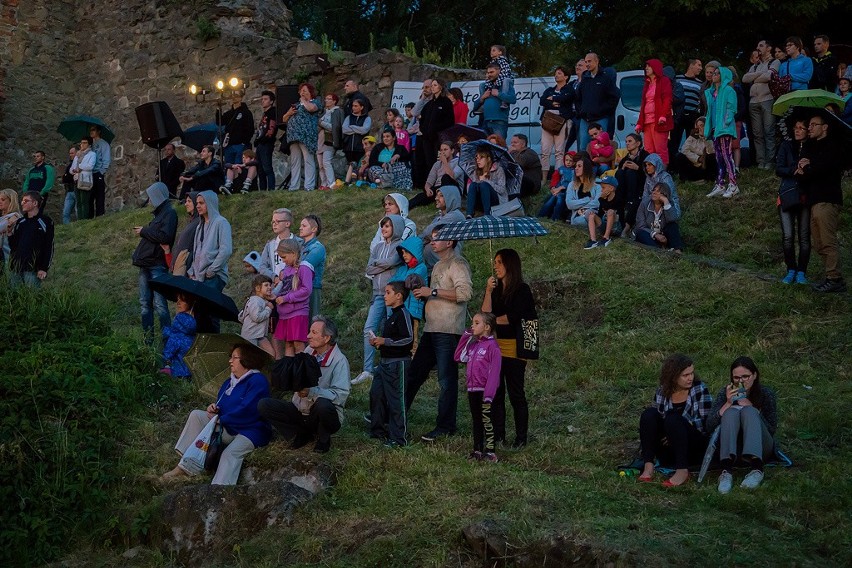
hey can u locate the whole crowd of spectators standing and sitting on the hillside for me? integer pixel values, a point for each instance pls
(421, 285)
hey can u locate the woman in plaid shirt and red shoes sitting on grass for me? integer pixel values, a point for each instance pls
(673, 430)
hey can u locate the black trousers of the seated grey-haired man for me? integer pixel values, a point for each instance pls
(321, 422)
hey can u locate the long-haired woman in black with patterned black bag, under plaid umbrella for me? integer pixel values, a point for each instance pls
(511, 301)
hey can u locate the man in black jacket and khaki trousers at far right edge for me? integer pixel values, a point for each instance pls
(819, 171)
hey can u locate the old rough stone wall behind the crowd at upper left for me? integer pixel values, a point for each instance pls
(52, 64)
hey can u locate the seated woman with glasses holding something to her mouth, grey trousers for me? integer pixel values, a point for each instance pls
(748, 416)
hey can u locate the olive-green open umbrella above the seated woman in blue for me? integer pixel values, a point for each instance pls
(208, 359)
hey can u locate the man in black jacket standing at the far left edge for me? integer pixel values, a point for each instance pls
(31, 243)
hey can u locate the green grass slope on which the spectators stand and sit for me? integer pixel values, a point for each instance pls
(608, 318)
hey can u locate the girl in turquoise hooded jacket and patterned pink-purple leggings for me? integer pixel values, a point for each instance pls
(721, 127)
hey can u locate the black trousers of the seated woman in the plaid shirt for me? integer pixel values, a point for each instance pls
(671, 439)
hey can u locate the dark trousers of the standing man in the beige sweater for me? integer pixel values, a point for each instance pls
(436, 350)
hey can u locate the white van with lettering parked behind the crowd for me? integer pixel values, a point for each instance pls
(524, 114)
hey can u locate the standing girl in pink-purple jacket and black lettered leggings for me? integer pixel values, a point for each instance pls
(480, 351)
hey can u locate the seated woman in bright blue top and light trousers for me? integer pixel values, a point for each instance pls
(243, 429)
